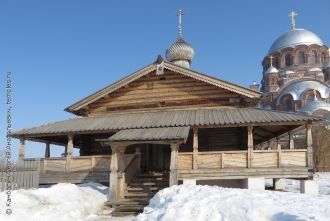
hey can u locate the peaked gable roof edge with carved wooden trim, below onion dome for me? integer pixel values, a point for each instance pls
(169, 66)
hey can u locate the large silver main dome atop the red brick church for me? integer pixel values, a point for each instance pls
(293, 38)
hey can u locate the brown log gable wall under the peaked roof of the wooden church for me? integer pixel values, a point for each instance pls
(170, 90)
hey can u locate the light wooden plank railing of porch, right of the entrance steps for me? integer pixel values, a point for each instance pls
(239, 159)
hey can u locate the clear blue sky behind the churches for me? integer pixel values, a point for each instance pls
(61, 51)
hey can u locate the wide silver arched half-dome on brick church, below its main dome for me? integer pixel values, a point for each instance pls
(297, 90)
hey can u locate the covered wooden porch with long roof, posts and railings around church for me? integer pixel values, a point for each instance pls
(195, 144)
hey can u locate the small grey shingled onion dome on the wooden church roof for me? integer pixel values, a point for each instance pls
(180, 52)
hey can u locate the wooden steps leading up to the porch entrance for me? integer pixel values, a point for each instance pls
(139, 192)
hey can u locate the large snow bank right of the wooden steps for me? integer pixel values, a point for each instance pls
(189, 202)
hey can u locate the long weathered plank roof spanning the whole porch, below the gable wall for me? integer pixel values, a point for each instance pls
(168, 118)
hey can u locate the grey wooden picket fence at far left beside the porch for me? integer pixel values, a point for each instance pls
(22, 175)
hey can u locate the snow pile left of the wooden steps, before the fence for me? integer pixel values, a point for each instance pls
(60, 202)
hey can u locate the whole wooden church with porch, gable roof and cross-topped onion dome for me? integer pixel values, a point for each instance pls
(166, 124)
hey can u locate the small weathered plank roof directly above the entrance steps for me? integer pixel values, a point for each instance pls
(152, 134)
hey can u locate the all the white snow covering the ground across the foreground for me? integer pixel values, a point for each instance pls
(64, 202)
